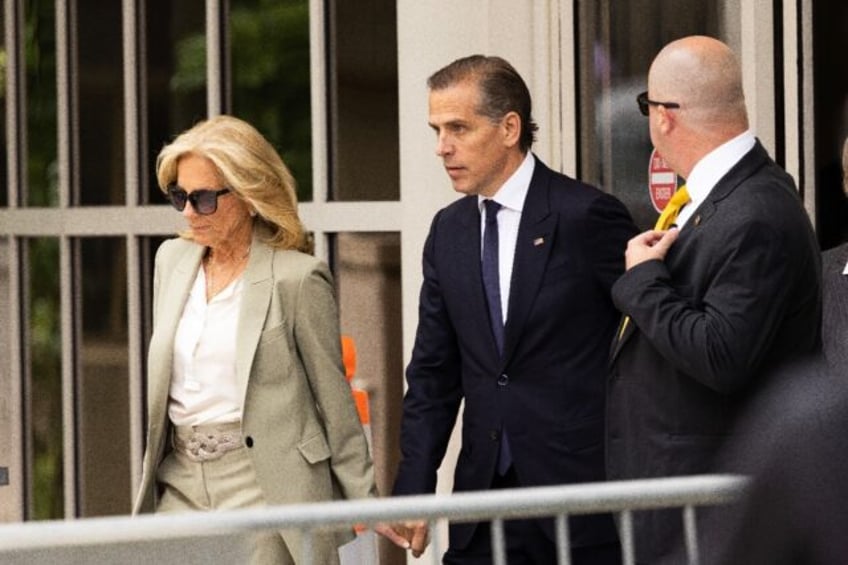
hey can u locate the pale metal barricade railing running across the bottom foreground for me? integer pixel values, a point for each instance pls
(620, 497)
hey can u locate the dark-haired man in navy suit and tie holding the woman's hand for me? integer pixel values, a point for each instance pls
(529, 358)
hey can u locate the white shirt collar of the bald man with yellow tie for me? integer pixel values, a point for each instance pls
(708, 171)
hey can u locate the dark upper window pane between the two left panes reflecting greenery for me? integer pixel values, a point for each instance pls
(101, 103)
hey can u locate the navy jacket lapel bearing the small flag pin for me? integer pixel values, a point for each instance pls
(536, 233)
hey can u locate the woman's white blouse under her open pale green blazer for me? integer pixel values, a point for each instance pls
(204, 388)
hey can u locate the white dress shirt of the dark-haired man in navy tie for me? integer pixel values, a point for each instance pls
(511, 197)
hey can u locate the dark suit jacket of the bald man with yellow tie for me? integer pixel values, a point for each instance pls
(738, 294)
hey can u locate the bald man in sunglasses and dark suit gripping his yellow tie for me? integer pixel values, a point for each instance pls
(718, 301)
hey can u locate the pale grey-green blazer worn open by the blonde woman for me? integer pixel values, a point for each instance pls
(307, 443)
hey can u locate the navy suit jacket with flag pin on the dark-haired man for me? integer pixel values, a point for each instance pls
(548, 388)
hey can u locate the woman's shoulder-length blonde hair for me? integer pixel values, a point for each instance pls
(250, 166)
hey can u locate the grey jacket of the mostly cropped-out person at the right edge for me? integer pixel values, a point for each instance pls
(835, 311)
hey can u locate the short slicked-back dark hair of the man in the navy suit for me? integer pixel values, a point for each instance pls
(502, 90)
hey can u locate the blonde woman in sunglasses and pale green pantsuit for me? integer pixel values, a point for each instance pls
(247, 400)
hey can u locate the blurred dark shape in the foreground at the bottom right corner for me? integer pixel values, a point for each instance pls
(793, 443)
